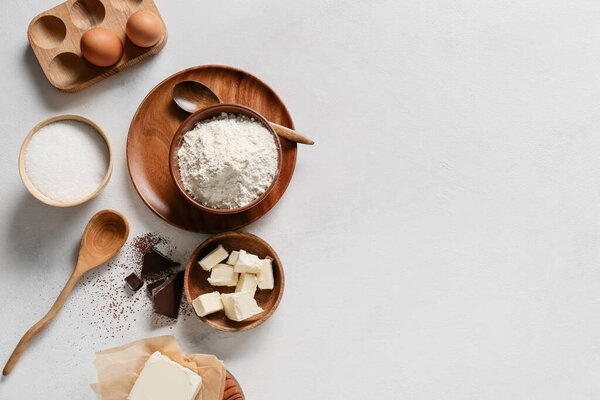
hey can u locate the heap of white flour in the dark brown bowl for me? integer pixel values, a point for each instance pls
(228, 161)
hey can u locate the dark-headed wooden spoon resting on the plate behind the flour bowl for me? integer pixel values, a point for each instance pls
(192, 96)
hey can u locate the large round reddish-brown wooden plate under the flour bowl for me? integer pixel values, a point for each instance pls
(154, 125)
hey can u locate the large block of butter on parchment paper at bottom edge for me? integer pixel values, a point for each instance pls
(162, 378)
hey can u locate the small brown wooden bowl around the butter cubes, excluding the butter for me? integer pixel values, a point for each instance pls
(196, 282)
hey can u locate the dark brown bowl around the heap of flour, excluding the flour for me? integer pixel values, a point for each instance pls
(207, 113)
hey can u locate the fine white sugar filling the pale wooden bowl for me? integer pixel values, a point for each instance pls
(66, 160)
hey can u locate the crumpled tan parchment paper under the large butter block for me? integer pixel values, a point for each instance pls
(118, 368)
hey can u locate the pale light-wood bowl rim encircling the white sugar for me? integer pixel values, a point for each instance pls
(34, 190)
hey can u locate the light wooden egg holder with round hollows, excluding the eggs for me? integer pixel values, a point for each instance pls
(54, 36)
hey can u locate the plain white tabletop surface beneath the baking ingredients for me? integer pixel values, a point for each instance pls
(440, 241)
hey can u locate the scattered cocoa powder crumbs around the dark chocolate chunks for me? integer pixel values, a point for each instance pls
(105, 303)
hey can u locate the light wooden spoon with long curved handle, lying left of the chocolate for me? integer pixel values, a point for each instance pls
(102, 238)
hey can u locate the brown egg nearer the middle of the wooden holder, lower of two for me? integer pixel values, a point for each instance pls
(101, 47)
